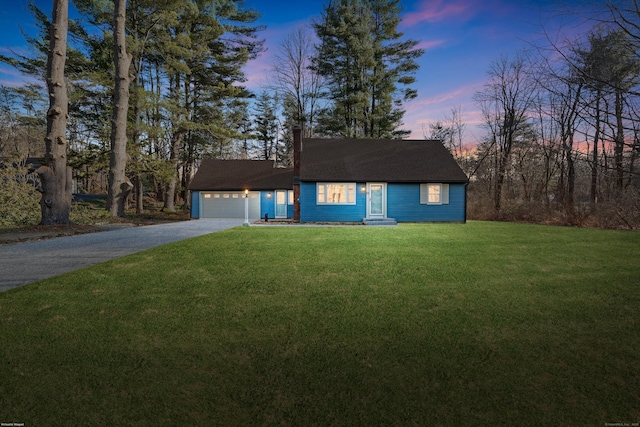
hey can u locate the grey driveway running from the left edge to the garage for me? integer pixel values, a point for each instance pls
(24, 263)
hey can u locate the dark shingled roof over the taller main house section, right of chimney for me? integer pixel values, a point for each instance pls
(397, 160)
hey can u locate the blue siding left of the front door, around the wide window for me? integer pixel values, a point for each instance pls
(310, 211)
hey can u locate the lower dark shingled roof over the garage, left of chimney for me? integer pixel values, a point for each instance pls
(237, 175)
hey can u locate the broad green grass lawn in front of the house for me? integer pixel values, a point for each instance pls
(439, 324)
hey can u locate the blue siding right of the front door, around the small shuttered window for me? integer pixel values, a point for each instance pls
(403, 204)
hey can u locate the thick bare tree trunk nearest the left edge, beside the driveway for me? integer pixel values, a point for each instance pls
(55, 176)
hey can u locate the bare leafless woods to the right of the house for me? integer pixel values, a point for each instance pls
(562, 140)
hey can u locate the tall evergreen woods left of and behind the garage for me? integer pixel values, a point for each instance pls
(185, 58)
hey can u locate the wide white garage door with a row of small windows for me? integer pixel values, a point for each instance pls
(229, 204)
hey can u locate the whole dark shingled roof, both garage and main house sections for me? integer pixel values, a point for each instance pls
(337, 160)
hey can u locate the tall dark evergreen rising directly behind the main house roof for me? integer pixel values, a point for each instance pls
(365, 62)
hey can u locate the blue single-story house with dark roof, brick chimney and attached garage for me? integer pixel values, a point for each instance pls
(338, 180)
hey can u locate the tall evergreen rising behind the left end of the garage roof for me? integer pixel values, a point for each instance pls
(205, 48)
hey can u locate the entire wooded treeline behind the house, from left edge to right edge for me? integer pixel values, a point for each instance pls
(561, 140)
